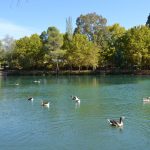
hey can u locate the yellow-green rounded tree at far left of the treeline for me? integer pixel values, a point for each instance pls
(27, 53)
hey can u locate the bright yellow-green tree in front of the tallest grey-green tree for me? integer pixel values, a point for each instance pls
(82, 53)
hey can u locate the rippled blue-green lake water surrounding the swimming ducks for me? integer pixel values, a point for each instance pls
(26, 125)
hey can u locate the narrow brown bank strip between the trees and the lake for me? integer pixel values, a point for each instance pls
(74, 72)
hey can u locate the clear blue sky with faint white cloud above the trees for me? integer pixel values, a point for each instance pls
(19, 18)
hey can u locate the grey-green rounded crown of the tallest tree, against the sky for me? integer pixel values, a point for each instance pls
(90, 24)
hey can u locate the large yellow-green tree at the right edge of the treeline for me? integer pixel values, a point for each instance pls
(135, 48)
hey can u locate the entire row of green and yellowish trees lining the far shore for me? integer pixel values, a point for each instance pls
(91, 45)
